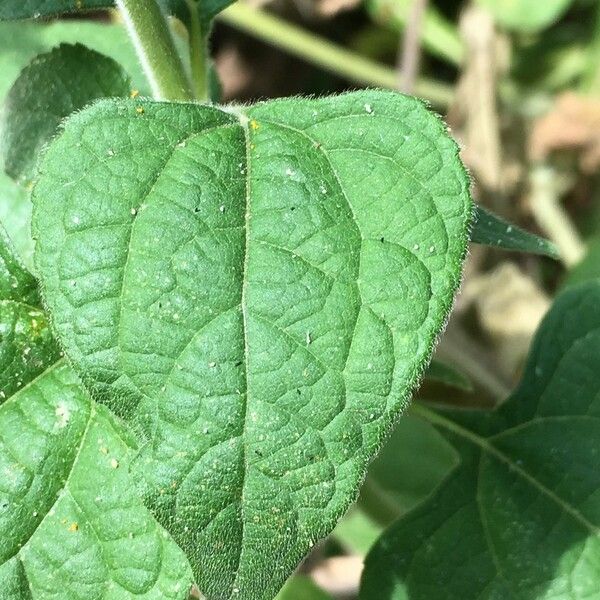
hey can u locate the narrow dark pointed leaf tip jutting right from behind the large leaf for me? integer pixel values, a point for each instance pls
(491, 230)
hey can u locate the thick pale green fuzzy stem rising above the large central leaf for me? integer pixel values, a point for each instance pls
(151, 36)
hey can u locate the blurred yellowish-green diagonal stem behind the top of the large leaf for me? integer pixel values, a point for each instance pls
(327, 55)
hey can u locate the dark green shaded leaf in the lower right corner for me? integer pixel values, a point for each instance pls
(519, 517)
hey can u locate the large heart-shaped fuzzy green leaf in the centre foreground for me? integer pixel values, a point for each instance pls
(257, 291)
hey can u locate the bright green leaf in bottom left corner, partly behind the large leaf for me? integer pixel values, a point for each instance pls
(71, 524)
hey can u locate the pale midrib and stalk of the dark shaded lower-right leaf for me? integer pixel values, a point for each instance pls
(485, 445)
